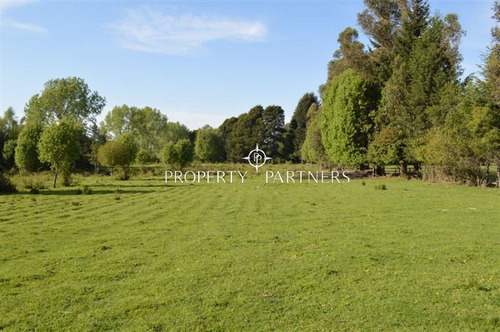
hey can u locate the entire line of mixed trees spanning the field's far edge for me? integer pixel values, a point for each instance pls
(398, 101)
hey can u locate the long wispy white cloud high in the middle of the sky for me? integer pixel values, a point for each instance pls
(152, 31)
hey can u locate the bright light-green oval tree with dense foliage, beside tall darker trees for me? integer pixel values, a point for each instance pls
(346, 122)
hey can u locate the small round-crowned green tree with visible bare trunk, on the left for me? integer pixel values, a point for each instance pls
(59, 146)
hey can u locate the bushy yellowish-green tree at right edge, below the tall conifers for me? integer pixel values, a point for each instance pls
(468, 138)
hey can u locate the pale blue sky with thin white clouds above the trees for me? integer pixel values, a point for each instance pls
(199, 62)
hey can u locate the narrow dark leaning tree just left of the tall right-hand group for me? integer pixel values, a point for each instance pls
(296, 131)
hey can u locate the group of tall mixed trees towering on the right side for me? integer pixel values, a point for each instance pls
(401, 100)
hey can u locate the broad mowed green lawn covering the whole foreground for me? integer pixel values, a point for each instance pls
(305, 257)
